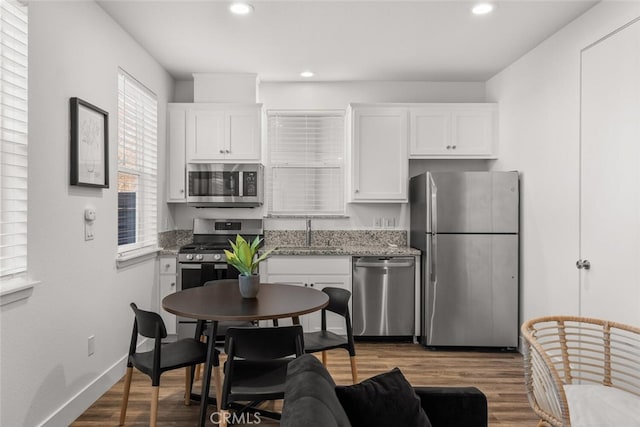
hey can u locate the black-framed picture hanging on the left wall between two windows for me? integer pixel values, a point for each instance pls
(89, 144)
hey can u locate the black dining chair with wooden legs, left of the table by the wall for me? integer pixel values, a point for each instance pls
(184, 353)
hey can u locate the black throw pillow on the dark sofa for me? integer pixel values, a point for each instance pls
(384, 400)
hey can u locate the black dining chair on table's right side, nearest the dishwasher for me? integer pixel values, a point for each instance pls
(324, 340)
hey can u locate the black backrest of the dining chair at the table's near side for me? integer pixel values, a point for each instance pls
(264, 343)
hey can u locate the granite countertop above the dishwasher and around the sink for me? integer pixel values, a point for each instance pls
(343, 250)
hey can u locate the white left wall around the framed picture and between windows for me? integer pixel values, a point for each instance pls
(75, 49)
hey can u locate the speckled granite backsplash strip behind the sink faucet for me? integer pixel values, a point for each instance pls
(336, 237)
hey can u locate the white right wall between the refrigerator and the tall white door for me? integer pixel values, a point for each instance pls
(539, 99)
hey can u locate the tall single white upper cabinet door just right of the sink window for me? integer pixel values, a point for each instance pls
(380, 164)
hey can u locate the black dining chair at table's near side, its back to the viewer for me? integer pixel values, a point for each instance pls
(256, 366)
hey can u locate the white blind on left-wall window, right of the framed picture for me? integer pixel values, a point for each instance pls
(137, 166)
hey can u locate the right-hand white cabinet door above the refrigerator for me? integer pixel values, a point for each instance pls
(472, 132)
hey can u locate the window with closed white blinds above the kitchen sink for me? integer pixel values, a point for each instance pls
(306, 163)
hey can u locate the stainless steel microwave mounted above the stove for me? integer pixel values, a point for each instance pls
(224, 184)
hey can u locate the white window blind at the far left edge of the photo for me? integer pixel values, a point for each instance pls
(13, 127)
